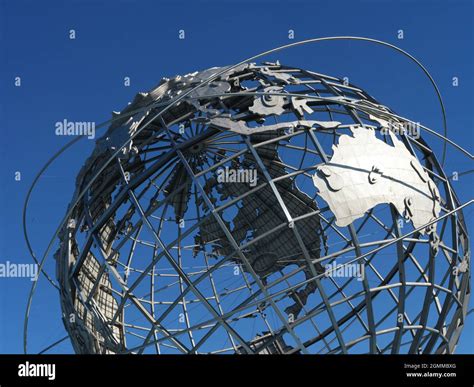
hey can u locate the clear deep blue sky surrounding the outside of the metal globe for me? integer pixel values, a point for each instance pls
(82, 80)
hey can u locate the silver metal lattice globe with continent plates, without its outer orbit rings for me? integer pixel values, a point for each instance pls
(269, 210)
